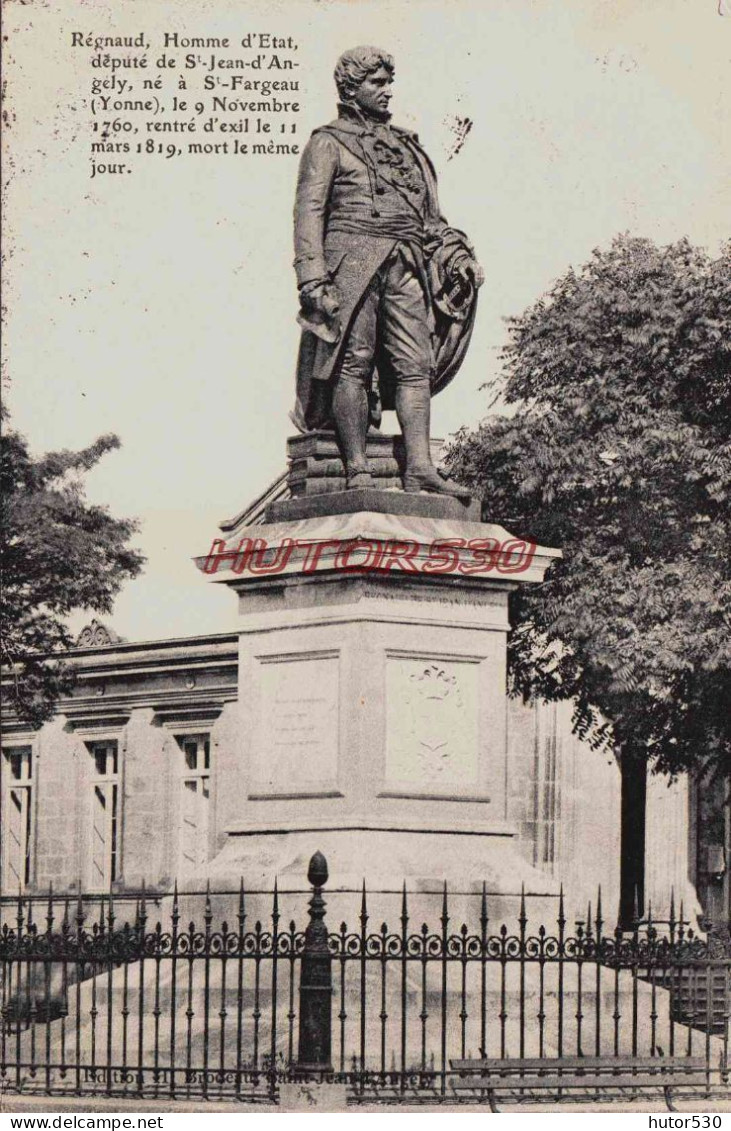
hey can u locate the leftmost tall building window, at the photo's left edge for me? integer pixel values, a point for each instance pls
(16, 818)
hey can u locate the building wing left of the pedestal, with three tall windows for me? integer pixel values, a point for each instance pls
(119, 788)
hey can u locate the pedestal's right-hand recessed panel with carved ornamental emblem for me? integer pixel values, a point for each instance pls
(432, 724)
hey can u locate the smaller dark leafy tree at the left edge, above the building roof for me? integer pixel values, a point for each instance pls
(58, 555)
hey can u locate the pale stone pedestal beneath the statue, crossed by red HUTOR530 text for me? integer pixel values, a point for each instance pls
(373, 696)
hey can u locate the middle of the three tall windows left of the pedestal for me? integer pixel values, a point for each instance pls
(105, 854)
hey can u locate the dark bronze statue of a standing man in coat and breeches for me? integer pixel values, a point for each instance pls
(388, 289)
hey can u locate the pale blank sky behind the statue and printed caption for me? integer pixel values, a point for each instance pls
(162, 306)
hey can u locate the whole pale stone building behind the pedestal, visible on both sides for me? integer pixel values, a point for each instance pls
(127, 787)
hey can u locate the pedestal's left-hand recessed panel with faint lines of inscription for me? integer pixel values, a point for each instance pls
(298, 724)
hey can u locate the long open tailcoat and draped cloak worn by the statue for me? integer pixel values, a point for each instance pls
(336, 180)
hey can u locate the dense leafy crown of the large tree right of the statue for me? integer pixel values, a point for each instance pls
(620, 454)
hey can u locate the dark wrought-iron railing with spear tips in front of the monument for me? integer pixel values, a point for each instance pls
(99, 1007)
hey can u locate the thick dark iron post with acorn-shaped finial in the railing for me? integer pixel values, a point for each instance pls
(316, 981)
